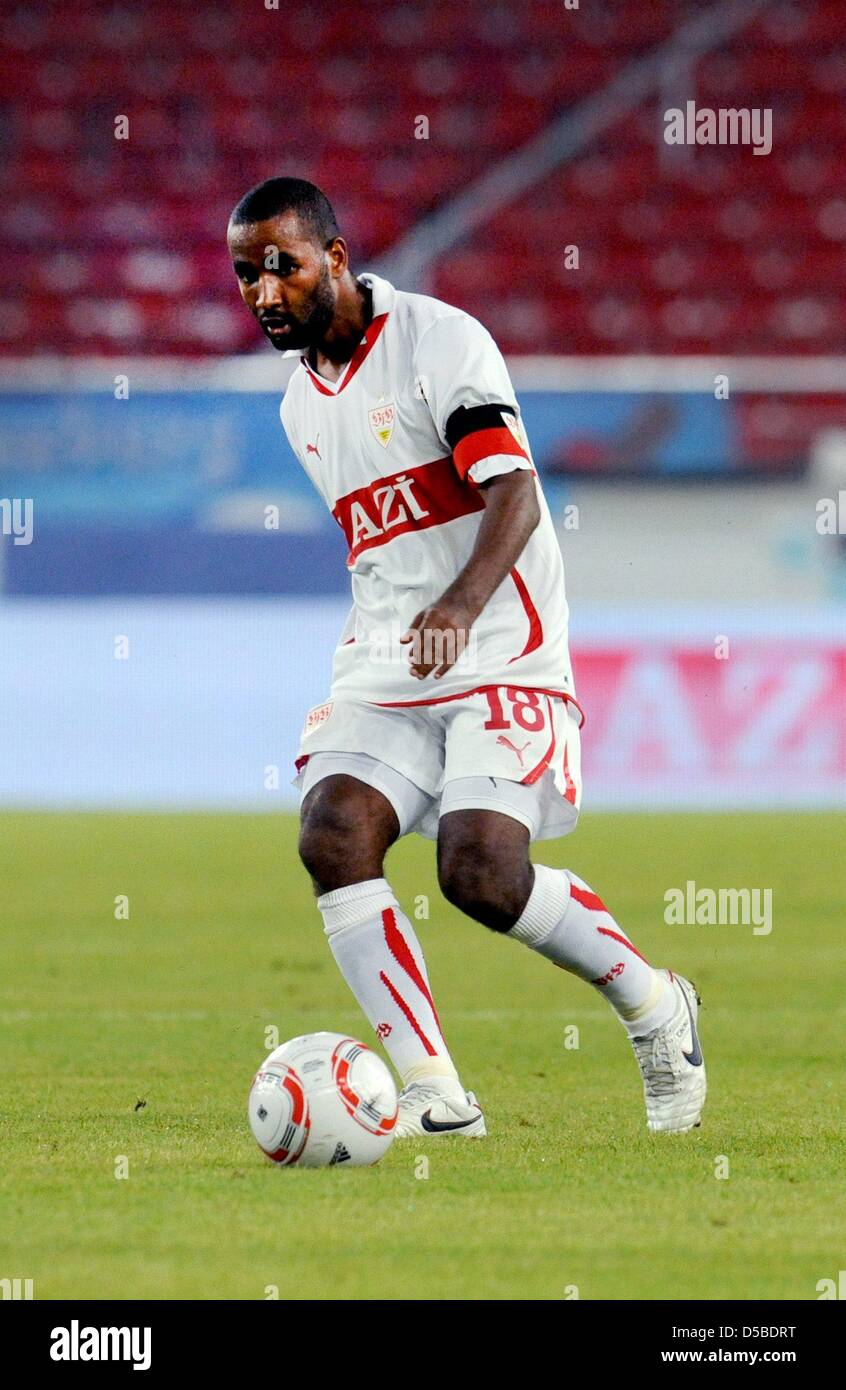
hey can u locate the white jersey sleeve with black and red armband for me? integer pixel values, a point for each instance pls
(456, 365)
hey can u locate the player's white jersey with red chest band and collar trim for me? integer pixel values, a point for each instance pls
(377, 447)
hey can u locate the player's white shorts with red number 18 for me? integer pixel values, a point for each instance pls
(504, 749)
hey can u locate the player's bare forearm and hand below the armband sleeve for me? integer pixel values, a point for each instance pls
(512, 514)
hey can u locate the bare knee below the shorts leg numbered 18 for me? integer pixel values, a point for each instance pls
(481, 883)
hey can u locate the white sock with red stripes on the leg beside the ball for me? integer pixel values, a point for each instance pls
(381, 960)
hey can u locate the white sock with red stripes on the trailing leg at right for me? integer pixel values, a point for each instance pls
(567, 924)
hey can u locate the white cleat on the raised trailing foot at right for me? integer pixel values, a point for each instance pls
(673, 1067)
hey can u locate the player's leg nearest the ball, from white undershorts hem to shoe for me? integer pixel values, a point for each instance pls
(347, 828)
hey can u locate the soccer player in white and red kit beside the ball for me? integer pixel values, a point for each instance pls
(452, 710)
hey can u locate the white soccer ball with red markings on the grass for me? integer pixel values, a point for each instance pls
(323, 1099)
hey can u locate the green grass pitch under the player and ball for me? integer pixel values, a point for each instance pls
(170, 1008)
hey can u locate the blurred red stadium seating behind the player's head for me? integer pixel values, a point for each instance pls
(681, 250)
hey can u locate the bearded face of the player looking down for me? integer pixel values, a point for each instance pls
(287, 280)
